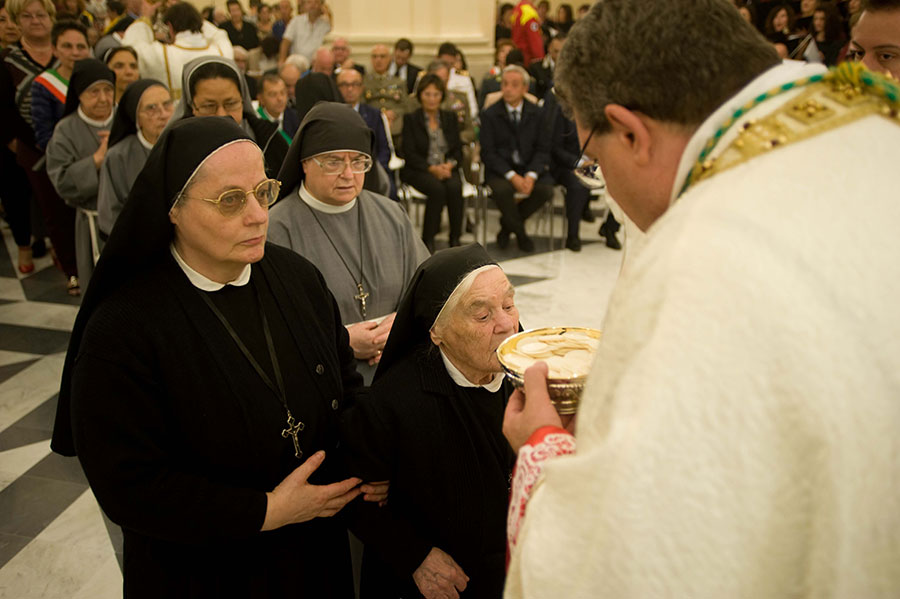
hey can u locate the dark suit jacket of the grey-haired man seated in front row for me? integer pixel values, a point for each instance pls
(500, 137)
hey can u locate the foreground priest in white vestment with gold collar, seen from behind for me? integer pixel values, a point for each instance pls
(738, 436)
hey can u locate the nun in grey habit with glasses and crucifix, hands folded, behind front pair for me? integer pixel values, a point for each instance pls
(362, 242)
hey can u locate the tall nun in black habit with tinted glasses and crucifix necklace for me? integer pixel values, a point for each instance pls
(205, 376)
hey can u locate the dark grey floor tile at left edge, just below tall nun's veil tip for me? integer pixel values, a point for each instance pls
(30, 503)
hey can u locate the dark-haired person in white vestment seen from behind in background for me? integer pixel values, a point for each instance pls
(192, 36)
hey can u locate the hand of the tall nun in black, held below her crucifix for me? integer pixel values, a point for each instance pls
(296, 500)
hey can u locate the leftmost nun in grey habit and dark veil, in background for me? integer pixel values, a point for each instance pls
(78, 147)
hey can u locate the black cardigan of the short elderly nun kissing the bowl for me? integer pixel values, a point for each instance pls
(442, 448)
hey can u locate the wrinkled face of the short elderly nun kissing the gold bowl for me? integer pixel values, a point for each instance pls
(485, 316)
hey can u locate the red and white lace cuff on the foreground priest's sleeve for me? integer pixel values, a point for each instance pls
(545, 443)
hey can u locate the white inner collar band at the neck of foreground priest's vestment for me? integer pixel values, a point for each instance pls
(788, 70)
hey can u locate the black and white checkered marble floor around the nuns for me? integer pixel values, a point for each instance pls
(54, 539)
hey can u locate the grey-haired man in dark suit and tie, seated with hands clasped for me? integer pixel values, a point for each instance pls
(516, 154)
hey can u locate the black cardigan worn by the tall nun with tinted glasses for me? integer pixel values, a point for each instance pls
(180, 439)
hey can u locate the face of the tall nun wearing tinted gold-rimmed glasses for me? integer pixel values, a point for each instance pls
(213, 244)
